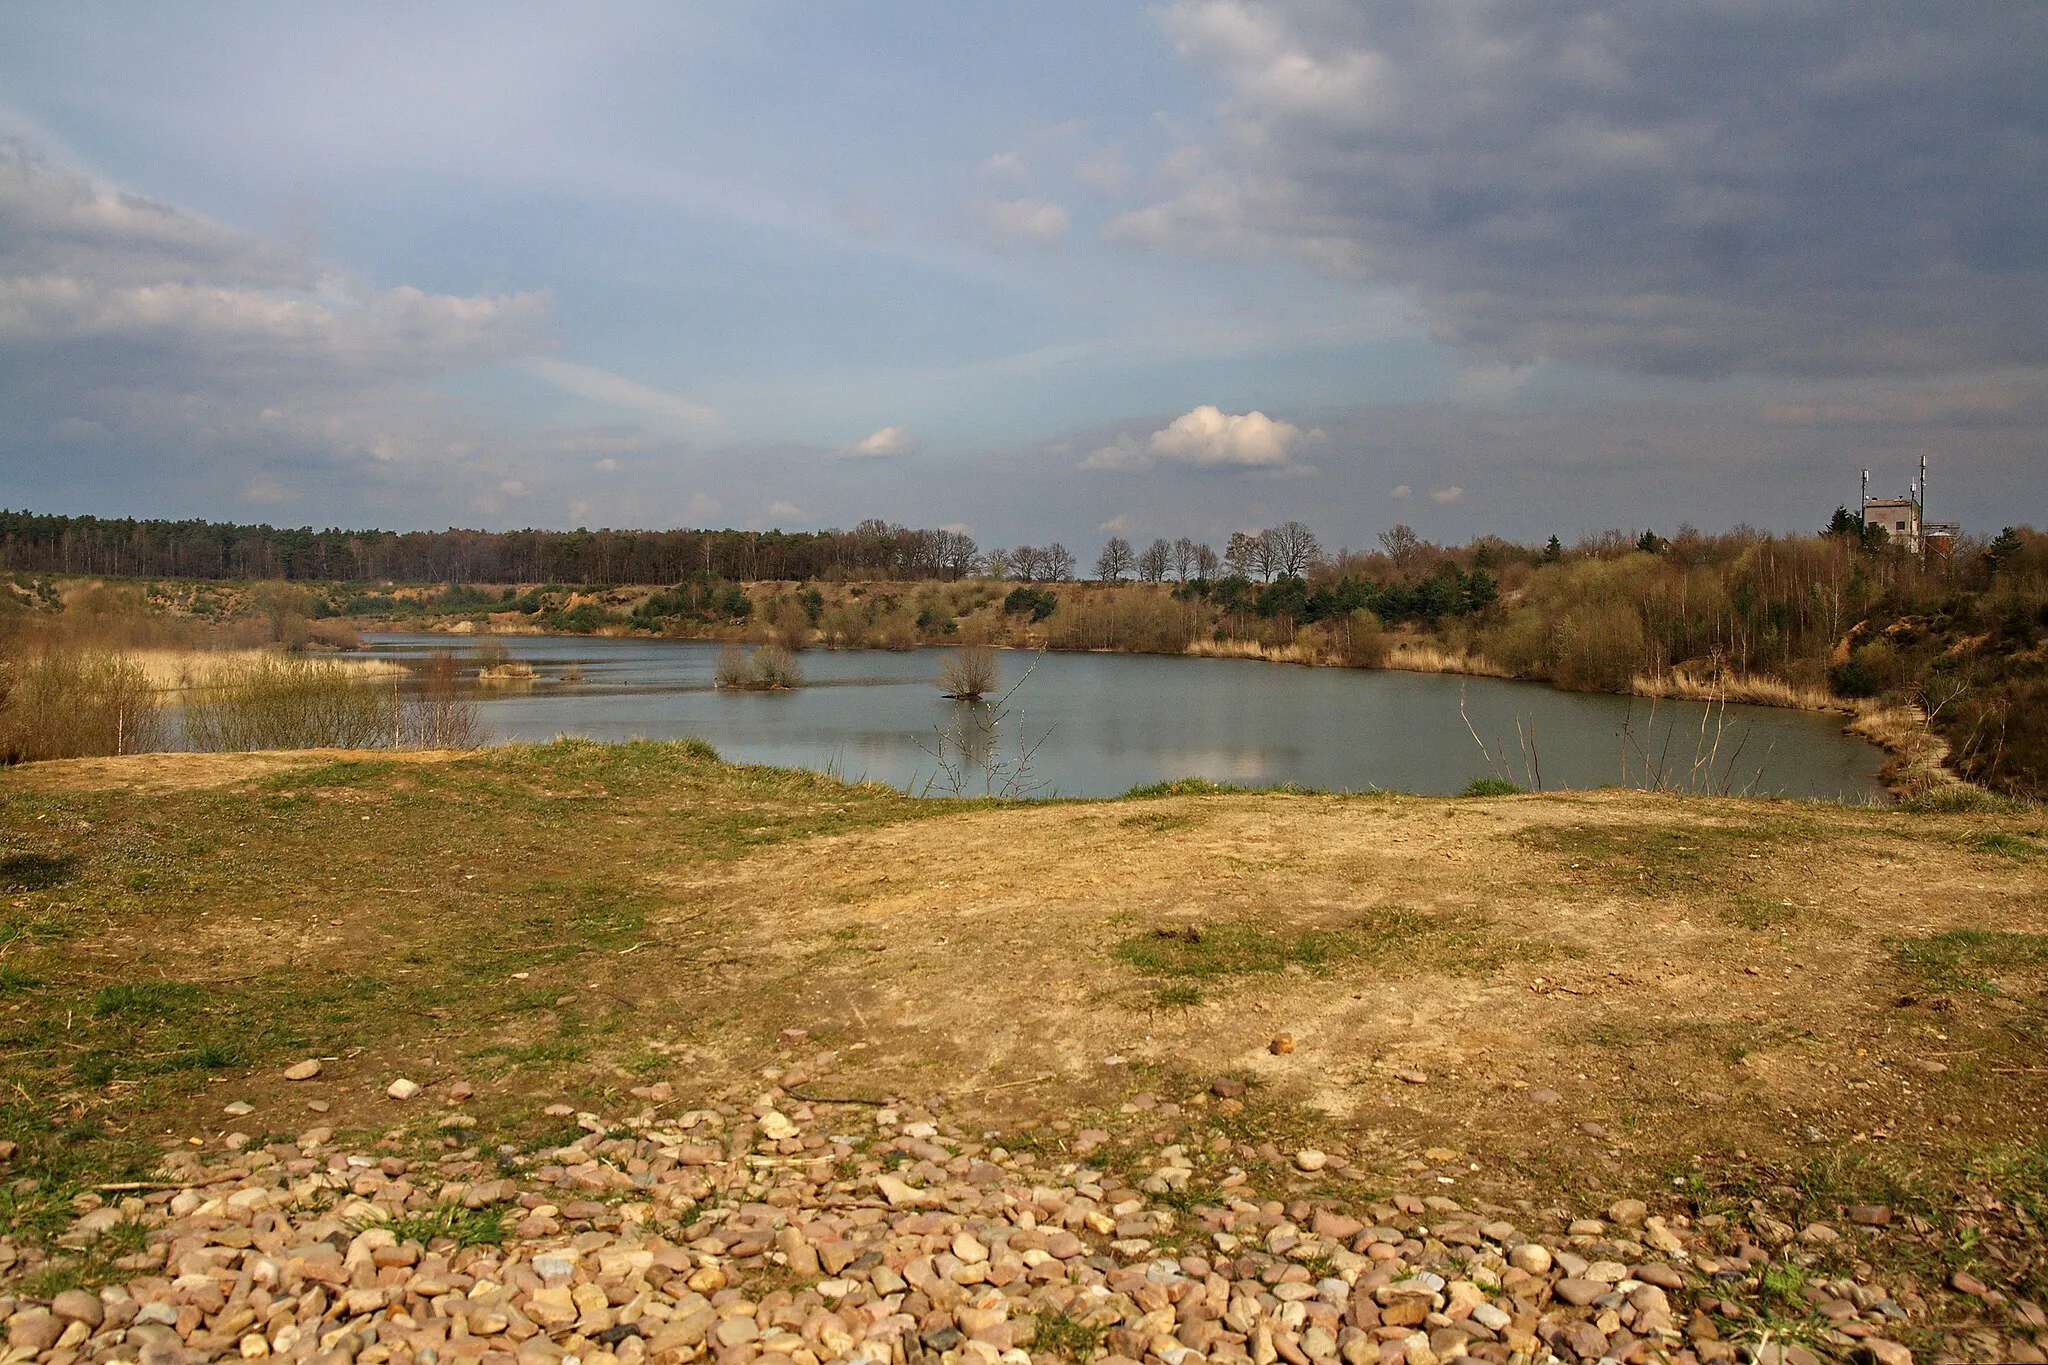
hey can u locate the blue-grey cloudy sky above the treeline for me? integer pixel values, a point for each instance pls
(1033, 271)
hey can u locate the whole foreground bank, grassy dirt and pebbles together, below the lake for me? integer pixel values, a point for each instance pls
(699, 1045)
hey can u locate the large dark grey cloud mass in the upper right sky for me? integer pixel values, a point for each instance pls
(1768, 187)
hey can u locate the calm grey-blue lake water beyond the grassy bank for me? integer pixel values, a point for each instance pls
(1107, 723)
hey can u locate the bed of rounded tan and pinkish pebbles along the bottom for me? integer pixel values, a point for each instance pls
(667, 1241)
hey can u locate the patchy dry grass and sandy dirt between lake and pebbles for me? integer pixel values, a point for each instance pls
(1605, 994)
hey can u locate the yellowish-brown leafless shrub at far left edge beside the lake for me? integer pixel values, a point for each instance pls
(67, 705)
